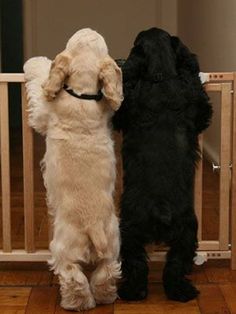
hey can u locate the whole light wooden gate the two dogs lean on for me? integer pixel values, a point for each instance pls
(225, 82)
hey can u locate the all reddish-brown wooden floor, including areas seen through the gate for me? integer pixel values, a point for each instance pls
(31, 288)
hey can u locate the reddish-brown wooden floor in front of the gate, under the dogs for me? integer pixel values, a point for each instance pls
(36, 291)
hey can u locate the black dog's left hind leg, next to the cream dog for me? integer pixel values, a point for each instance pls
(134, 266)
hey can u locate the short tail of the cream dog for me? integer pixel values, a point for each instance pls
(98, 238)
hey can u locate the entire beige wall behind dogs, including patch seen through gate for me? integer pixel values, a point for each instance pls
(206, 26)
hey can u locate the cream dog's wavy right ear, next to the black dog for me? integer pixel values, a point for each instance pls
(111, 78)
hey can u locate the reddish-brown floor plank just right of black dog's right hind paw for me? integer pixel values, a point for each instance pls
(211, 300)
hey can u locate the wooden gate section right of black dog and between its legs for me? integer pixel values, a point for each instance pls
(225, 247)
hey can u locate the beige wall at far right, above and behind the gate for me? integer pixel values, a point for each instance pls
(208, 27)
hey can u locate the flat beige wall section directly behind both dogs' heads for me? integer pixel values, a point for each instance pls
(49, 23)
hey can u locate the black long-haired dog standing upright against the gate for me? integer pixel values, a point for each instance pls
(164, 110)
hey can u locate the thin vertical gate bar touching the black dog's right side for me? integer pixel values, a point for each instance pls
(198, 191)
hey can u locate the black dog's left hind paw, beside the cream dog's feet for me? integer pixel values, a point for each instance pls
(131, 293)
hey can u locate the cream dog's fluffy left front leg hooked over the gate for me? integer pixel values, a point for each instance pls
(36, 72)
